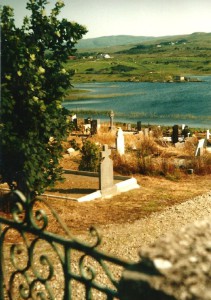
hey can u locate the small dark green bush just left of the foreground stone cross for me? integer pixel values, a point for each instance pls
(90, 157)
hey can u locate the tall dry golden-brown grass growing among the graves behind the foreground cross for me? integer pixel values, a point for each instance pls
(149, 155)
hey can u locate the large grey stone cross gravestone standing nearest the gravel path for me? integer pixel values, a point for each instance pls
(106, 177)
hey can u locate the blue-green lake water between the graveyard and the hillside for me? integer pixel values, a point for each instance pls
(152, 103)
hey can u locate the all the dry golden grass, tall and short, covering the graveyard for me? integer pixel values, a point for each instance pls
(172, 186)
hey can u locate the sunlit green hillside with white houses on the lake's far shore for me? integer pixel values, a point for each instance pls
(160, 59)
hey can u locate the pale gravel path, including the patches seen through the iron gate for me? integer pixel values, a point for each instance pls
(126, 240)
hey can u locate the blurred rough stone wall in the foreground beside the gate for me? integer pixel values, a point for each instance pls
(177, 266)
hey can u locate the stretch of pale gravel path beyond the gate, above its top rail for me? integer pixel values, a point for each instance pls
(125, 240)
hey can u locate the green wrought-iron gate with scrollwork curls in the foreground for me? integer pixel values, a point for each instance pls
(38, 264)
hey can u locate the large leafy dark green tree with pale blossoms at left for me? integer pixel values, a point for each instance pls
(33, 83)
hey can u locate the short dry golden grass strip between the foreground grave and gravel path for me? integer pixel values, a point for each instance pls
(155, 194)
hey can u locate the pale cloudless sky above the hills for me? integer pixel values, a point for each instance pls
(132, 17)
